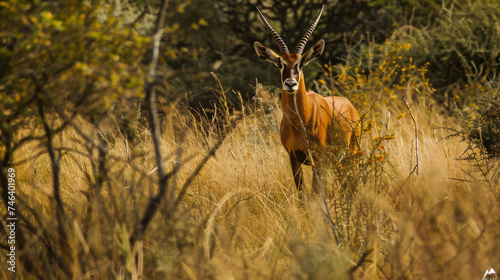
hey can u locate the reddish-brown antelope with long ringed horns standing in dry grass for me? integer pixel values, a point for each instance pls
(309, 119)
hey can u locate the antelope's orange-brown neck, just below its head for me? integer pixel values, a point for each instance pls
(288, 103)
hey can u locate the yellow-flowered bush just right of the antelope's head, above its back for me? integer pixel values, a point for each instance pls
(377, 72)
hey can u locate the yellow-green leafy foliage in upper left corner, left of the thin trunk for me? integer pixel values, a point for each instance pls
(76, 58)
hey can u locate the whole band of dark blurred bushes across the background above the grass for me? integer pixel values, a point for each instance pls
(90, 46)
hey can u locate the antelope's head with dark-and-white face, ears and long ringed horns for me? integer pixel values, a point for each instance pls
(290, 64)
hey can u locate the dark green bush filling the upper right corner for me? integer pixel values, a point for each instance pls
(462, 46)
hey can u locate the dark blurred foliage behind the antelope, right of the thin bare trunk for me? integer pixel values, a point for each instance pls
(458, 41)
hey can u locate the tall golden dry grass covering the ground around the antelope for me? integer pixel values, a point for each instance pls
(242, 218)
